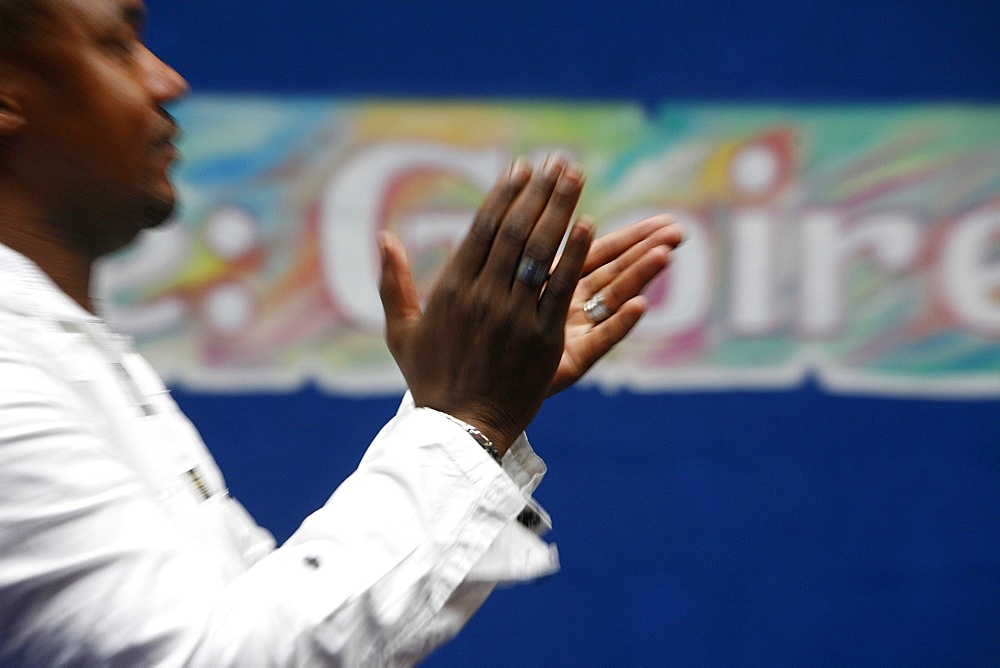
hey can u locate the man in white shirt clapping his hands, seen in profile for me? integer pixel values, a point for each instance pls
(118, 542)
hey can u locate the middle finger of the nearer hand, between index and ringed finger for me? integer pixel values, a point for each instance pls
(520, 220)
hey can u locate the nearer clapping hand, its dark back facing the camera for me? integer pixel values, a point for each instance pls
(487, 347)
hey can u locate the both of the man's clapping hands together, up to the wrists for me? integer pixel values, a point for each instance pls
(489, 349)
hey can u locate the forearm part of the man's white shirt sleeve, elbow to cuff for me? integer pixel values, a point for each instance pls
(394, 564)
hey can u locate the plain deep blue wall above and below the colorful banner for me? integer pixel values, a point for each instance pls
(789, 528)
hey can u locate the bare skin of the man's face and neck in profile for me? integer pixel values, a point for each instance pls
(86, 144)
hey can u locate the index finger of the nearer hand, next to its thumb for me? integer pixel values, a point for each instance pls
(474, 249)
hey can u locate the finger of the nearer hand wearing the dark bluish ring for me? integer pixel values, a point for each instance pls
(544, 240)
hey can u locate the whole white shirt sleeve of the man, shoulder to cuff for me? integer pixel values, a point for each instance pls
(94, 570)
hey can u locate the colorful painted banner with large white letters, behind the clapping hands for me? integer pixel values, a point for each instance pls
(857, 244)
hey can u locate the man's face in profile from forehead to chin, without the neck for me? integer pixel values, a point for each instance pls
(97, 146)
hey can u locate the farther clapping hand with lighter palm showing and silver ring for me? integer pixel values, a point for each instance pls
(619, 266)
